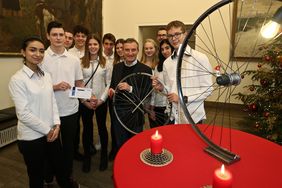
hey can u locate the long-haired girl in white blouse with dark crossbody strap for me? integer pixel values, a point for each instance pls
(93, 63)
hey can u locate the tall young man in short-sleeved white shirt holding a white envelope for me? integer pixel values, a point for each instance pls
(66, 73)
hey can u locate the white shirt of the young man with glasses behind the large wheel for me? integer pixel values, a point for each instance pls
(196, 85)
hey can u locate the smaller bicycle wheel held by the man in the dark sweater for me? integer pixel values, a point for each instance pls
(131, 107)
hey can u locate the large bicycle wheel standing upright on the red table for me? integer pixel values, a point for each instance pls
(213, 35)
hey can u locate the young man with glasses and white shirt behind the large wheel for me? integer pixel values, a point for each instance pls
(197, 82)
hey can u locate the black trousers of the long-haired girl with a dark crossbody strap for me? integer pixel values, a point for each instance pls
(87, 120)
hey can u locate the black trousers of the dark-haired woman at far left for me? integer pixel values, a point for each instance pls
(36, 154)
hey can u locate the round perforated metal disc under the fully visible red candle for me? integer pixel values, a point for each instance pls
(156, 160)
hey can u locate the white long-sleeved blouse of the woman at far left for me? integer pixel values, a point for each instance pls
(35, 103)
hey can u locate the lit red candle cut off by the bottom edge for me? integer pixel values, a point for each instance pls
(222, 178)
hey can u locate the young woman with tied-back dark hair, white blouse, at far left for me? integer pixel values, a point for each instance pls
(38, 119)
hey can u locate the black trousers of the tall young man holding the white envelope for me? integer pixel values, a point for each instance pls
(68, 132)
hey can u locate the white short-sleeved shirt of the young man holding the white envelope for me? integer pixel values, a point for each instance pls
(64, 67)
